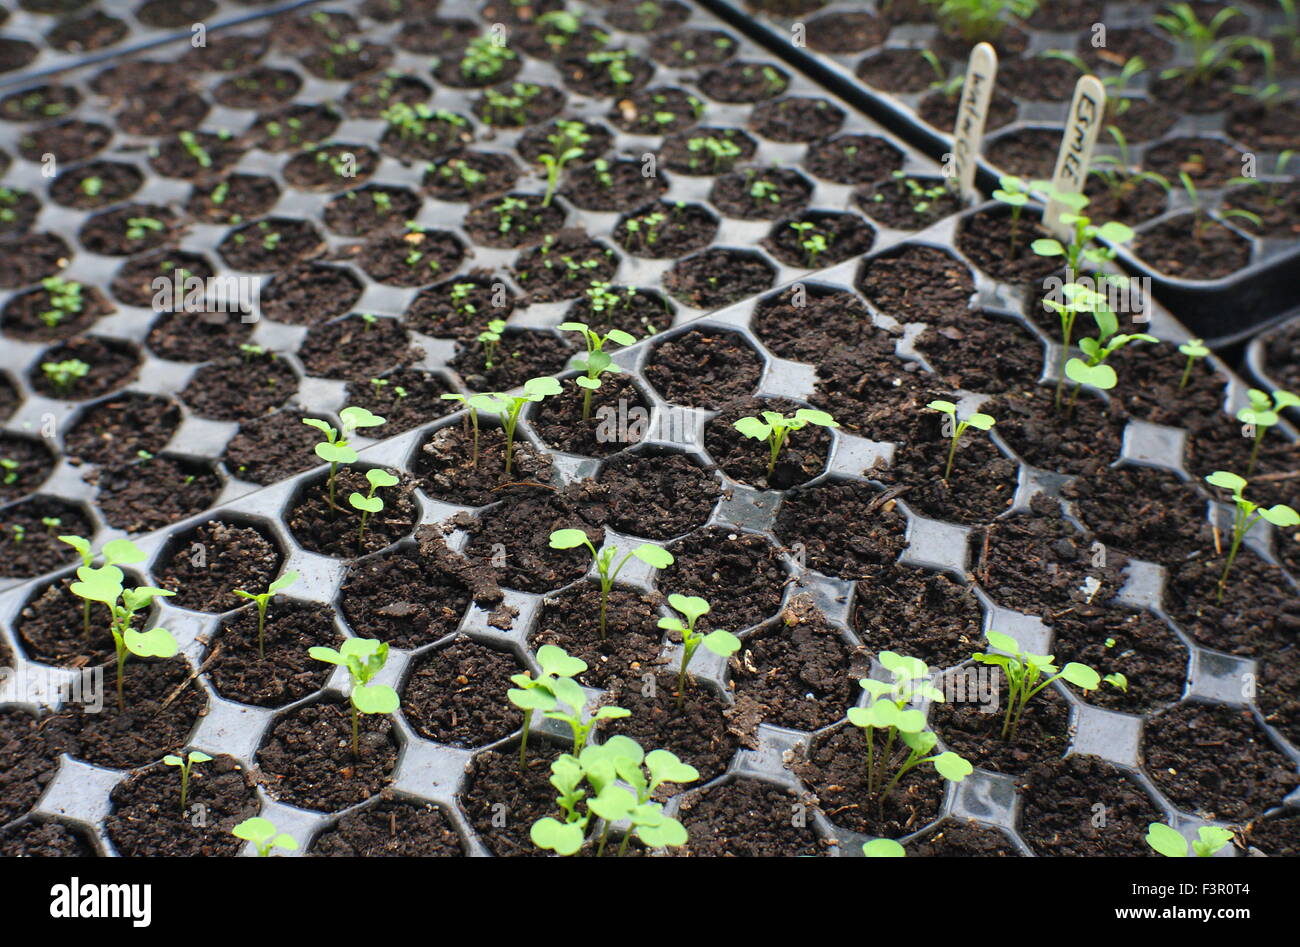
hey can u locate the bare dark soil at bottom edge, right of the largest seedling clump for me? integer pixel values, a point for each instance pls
(747, 819)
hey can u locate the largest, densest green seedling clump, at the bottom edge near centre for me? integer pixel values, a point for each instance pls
(622, 781)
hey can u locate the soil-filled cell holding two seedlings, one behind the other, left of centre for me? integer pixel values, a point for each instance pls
(327, 524)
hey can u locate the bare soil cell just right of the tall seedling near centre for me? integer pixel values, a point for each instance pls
(705, 367)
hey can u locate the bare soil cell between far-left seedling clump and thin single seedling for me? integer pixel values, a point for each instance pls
(202, 565)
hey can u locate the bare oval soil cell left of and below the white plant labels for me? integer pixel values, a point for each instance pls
(918, 284)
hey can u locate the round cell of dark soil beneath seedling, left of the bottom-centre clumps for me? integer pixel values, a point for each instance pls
(307, 758)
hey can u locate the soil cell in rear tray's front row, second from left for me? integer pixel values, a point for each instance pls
(155, 492)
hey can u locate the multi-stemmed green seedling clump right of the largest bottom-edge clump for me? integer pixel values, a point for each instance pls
(890, 717)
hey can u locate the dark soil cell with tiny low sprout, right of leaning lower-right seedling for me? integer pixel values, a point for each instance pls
(1137, 645)
